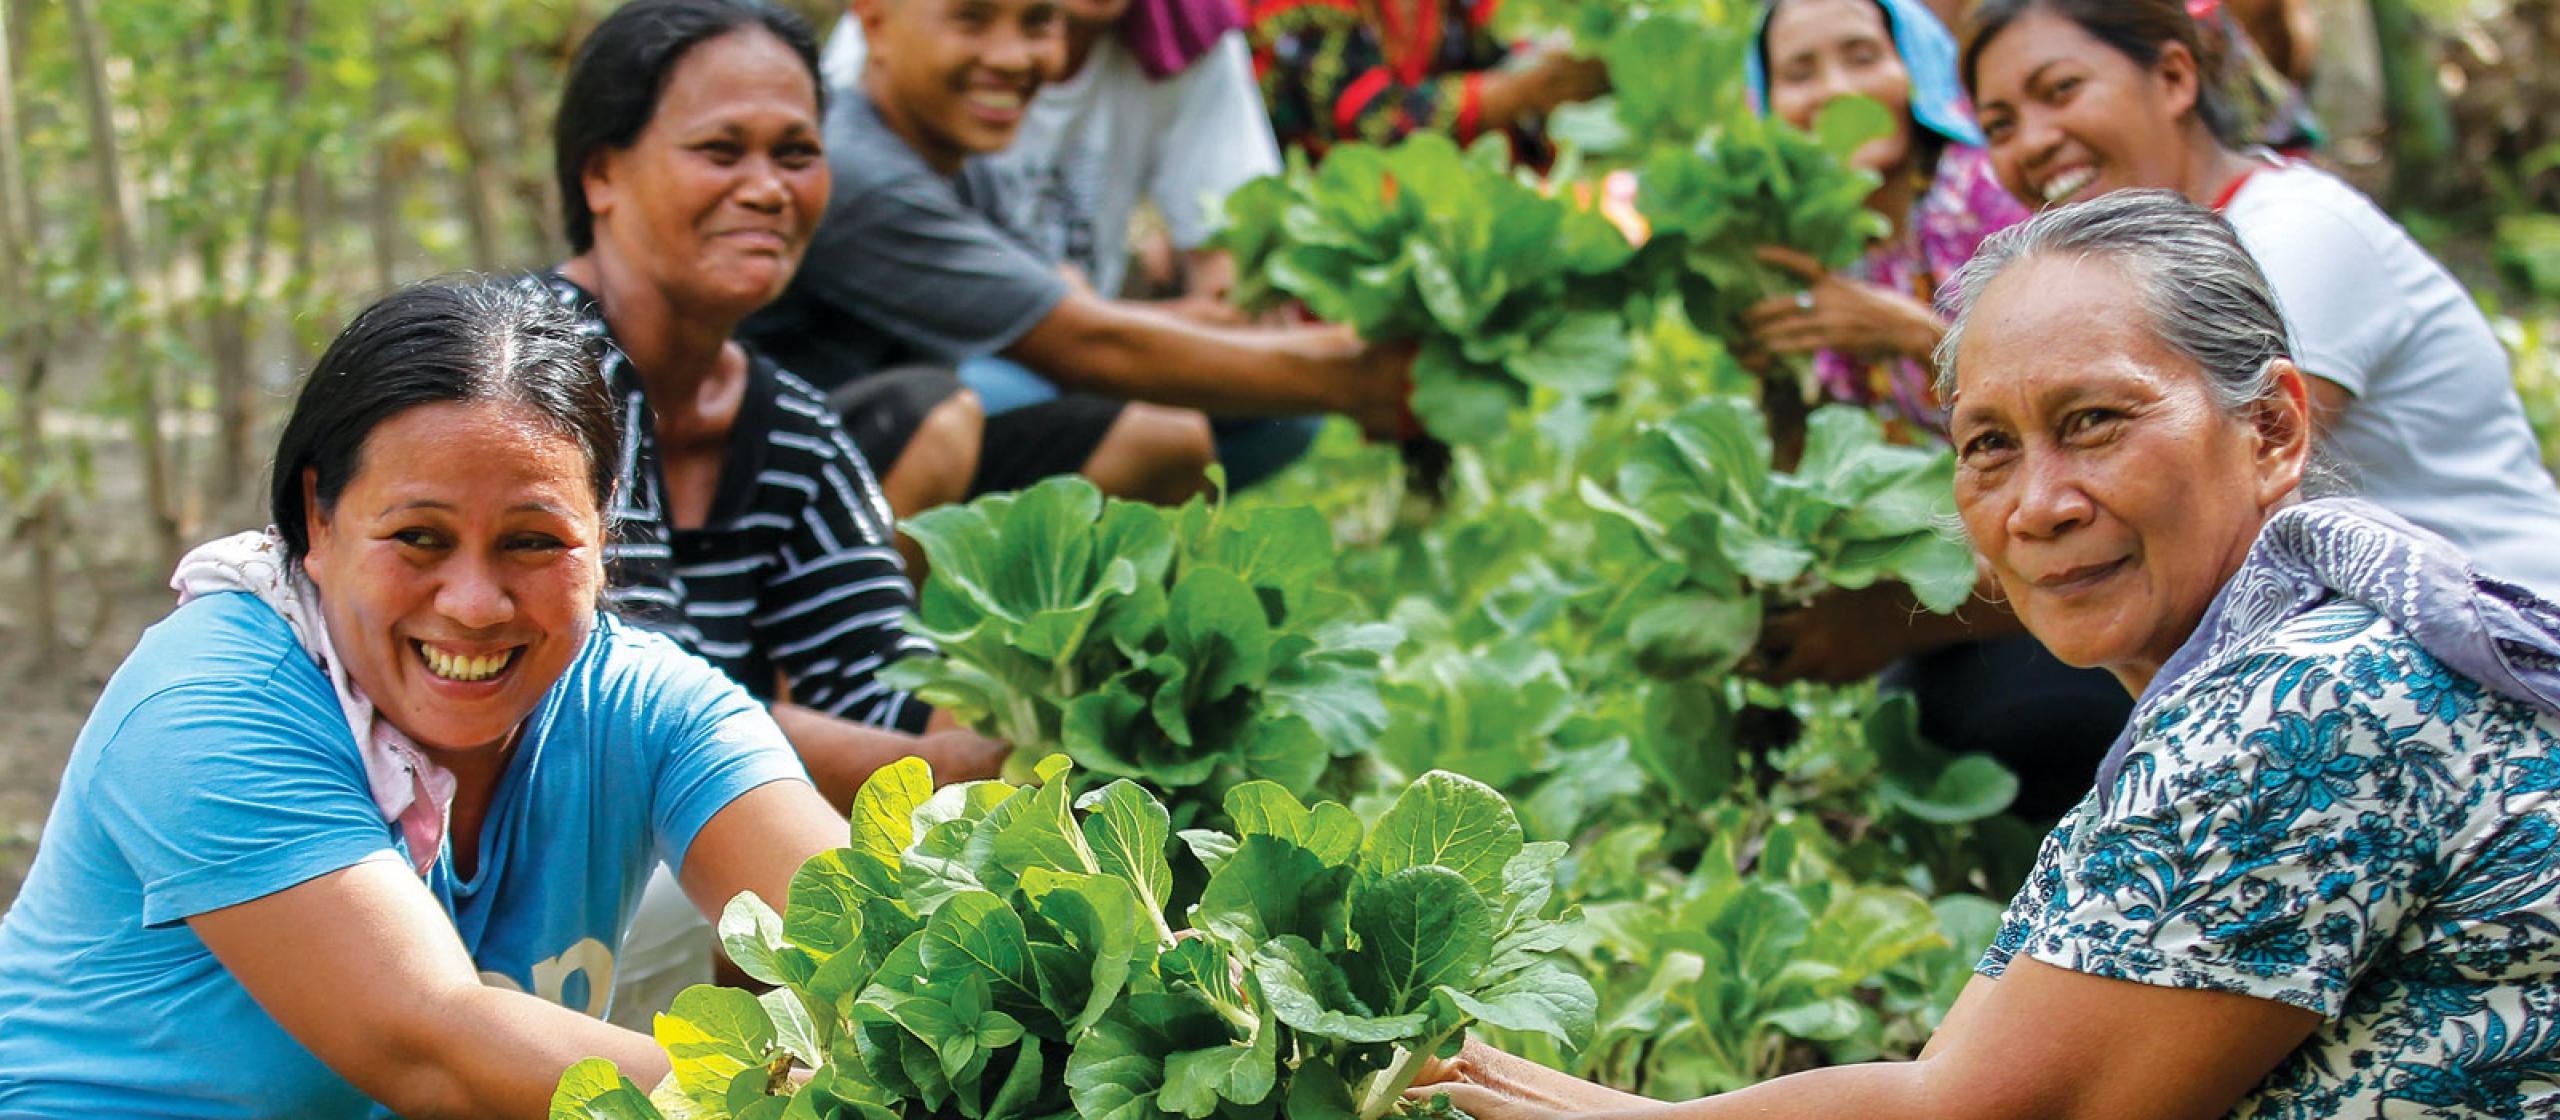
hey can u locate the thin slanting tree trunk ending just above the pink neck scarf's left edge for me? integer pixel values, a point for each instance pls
(119, 216)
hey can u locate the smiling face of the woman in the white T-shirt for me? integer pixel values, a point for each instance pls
(2072, 119)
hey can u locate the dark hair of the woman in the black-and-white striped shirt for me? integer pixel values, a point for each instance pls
(623, 68)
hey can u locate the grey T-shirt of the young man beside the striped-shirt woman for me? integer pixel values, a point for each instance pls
(910, 265)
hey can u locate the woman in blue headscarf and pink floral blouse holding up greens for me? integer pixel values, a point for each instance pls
(1875, 323)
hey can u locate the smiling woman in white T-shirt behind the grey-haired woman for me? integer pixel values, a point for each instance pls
(2413, 395)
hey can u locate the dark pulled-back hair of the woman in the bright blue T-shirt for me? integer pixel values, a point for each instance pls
(498, 339)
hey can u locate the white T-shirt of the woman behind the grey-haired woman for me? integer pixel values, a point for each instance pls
(2436, 431)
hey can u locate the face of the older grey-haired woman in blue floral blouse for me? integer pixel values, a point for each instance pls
(2095, 472)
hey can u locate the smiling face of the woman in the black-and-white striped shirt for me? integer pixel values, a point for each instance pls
(718, 198)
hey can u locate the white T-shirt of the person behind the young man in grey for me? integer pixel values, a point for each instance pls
(1097, 144)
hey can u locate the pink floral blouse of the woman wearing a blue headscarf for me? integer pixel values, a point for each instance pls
(1962, 206)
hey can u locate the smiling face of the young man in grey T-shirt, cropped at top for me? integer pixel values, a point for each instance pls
(956, 78)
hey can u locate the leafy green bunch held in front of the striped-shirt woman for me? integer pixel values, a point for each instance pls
(1181, 648)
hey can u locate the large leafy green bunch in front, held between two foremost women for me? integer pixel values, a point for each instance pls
(1010, 953)
